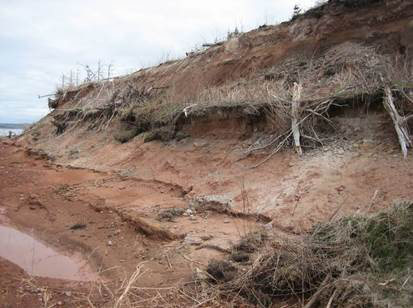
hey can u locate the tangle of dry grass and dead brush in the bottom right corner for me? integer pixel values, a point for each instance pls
(355, 261)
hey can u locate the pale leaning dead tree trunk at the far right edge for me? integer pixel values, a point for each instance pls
(400, 123)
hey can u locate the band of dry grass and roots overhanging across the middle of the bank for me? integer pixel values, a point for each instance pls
(336, 77)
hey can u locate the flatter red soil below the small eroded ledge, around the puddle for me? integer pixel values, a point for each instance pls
(46, 199)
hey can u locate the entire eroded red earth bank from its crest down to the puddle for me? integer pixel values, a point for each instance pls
(169, 166)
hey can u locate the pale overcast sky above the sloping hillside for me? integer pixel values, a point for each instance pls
(40, 40)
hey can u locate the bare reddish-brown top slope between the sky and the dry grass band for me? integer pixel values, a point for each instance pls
(386, 25)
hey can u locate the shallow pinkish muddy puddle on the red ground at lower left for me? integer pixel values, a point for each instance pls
(37, 259)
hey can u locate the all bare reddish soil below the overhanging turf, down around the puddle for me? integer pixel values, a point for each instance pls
(118, 192)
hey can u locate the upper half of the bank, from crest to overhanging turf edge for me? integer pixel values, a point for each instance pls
(338, 51)
